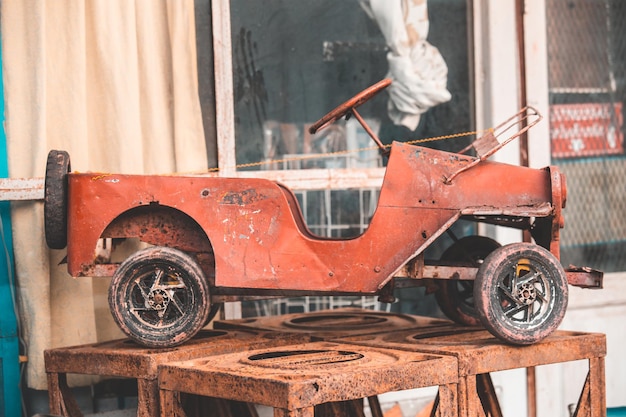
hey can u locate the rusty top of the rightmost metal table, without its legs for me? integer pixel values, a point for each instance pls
(480, 352)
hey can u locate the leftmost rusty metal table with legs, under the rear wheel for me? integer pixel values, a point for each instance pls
(124, 358)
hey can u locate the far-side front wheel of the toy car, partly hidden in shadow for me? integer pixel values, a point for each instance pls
(456, 298)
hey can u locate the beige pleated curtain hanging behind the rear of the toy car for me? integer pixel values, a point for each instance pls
(113, 82)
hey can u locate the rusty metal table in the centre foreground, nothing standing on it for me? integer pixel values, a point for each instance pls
(295, 379)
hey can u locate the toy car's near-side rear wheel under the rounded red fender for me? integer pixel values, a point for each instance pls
(159, 297)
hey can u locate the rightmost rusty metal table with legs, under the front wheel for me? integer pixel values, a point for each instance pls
(479, 353)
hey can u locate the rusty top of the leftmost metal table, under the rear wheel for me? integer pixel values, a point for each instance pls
(125, 358)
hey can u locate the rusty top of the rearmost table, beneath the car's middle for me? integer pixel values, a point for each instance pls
(325, 324)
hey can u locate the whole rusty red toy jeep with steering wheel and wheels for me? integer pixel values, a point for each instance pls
(212, 239)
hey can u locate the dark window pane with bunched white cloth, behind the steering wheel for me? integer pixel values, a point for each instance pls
(293, 61)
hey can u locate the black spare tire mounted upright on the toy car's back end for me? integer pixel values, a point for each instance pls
(55, 199)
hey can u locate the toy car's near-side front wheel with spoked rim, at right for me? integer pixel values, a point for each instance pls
(521, 293)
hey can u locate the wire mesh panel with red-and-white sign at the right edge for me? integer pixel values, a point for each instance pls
(587, 66)
